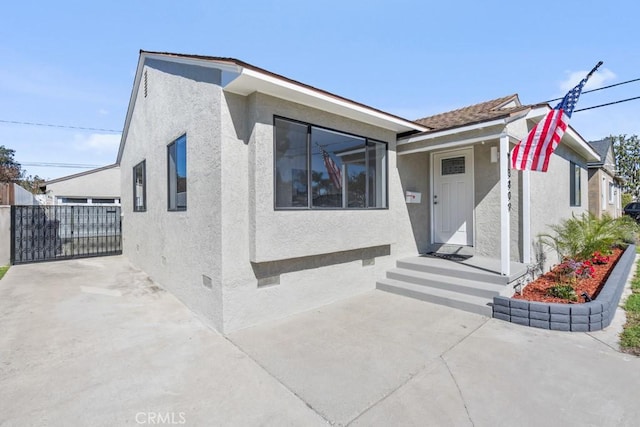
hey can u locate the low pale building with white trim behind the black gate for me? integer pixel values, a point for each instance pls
(99, 186)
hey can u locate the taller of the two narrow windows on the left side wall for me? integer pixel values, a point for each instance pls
(177, 171)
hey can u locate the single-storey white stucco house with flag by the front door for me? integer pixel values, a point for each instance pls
(252, 196)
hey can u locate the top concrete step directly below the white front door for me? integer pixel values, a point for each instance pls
(451, 269)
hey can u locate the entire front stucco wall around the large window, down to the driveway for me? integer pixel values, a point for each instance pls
(279, 262)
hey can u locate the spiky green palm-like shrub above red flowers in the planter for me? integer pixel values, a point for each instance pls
(580, 236)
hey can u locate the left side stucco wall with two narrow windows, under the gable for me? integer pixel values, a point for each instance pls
(179, 250)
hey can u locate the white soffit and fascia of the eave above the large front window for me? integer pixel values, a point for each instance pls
(249, 81)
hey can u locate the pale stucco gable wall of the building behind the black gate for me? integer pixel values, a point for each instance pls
(103, 183)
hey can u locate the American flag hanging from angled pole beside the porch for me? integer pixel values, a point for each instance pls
(534, 151)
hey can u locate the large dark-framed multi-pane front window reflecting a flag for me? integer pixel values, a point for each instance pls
(320, 168)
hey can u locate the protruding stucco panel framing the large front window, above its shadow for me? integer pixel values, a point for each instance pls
(283, 234)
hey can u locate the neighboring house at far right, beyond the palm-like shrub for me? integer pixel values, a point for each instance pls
(604, 185)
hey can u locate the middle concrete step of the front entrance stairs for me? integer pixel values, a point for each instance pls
(446, 282)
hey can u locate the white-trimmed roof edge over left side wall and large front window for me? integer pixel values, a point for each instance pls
(243, 78)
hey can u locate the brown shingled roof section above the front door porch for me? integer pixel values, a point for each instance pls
(498, 108)
